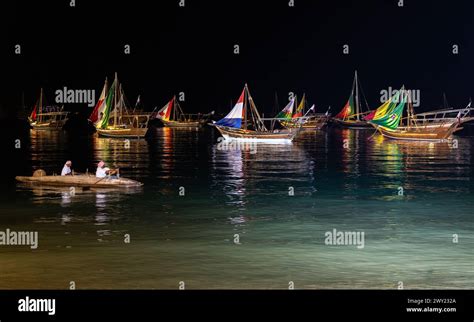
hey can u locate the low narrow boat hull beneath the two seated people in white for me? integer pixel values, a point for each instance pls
(83, 180)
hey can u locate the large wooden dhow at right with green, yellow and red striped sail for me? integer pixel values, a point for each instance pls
(387, 119)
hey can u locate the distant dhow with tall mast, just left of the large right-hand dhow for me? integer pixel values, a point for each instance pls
(351, 115)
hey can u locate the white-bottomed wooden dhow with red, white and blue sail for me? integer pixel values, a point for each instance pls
(243, 123)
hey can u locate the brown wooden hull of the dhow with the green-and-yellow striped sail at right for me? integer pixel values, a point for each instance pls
(425, 133)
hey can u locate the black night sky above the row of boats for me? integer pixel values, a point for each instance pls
(282, 49)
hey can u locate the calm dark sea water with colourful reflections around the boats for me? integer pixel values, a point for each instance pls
(342, 179)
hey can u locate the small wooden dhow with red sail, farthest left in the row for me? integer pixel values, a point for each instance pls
(44, 117)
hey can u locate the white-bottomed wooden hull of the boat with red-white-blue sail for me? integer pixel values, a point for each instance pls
(284, 136)
